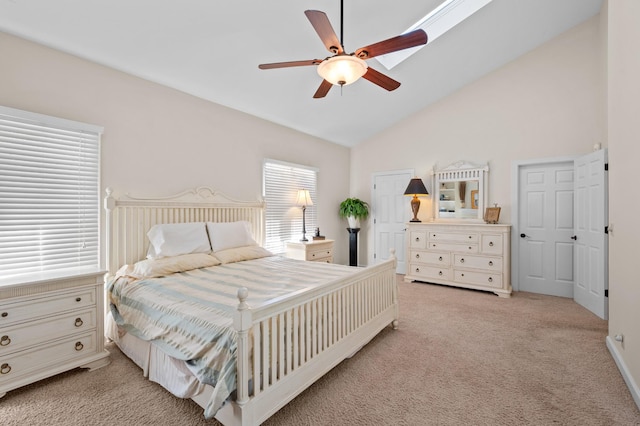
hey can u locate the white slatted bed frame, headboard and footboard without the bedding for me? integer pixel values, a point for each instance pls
(294, 340)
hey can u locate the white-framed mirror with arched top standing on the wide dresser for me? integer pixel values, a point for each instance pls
(460, 192)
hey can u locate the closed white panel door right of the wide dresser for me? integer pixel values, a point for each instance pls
(545, 228)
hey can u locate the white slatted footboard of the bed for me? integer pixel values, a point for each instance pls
(295, 342)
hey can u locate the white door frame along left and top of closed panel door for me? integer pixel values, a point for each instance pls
(515, 213)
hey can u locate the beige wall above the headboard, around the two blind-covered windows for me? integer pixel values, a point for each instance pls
(161, 141)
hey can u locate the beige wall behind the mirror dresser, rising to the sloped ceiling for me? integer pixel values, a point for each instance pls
(547, 103)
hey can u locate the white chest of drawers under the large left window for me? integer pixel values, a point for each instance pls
(50, 326)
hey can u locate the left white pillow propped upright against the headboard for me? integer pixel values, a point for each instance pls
(174, 239)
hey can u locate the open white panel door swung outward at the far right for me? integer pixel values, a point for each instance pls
(591, 242)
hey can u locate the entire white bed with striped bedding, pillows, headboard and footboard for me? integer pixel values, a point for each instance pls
(288, 322)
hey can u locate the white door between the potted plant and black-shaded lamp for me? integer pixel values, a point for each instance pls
(390, 212)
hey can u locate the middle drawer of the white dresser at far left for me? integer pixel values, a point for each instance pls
(34, 332)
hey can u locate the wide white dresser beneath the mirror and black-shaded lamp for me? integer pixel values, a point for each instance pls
(474, 255)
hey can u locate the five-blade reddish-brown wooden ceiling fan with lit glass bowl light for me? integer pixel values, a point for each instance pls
(343, 68)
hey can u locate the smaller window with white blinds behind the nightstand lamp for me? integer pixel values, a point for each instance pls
(283, 218)
